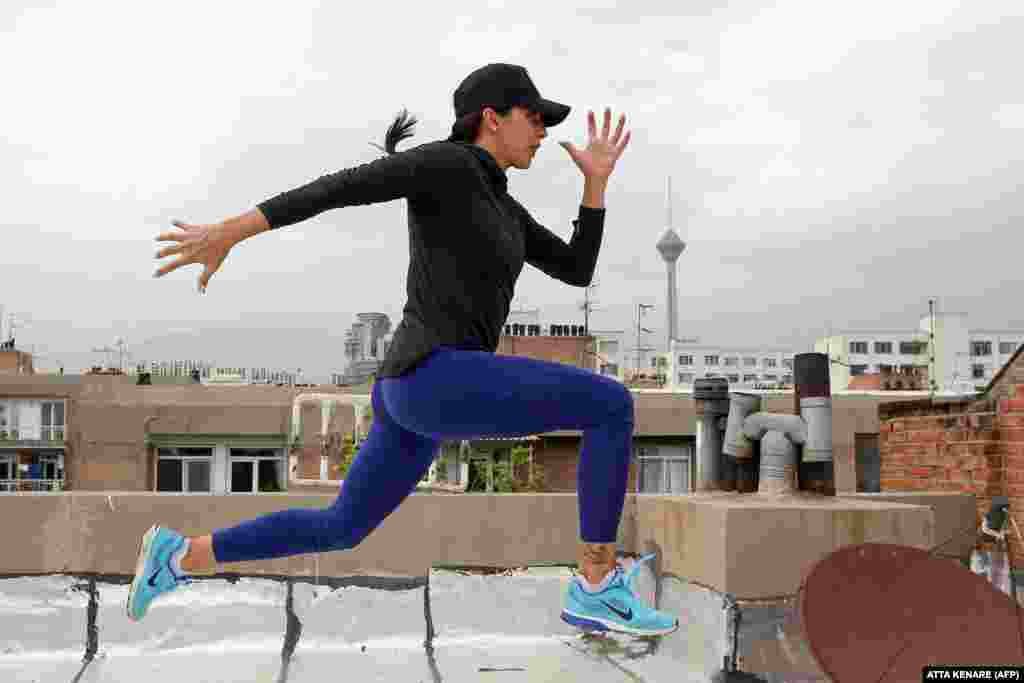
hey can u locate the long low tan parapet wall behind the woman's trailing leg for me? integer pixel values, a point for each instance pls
(99, 533)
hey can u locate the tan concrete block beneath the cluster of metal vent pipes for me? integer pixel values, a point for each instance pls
(756, 547)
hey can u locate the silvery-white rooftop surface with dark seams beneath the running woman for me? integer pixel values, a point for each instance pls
(487, 628)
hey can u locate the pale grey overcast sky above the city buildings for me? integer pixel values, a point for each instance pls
(834, 165)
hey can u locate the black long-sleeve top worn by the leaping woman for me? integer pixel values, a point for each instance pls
(468, 242)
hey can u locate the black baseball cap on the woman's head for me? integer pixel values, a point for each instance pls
(501, 86)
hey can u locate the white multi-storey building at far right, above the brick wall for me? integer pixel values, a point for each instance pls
(958, 358)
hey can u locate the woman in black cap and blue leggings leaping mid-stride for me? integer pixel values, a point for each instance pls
(441, 378)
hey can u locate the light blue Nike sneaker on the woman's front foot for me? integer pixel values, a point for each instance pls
(616, 609)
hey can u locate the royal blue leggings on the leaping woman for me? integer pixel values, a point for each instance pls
(453, 396)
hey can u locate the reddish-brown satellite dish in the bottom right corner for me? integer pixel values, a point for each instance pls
(882, 613)
